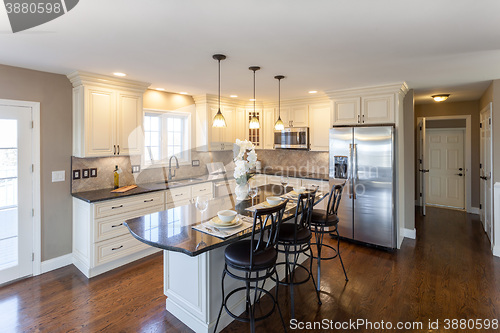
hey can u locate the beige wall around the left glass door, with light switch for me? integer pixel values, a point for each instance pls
(53, 91)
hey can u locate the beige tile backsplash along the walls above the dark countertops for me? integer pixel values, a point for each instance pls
(298, 161)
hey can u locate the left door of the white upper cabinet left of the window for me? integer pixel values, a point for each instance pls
(100, 122)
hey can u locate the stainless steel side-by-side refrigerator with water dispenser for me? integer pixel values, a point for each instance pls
(362, 157)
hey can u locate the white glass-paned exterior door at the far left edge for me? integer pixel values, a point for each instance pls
(16, 193)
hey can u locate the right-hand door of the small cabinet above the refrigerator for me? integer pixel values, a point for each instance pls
(377, 109)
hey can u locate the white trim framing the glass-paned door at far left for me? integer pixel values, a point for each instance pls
(35, 159)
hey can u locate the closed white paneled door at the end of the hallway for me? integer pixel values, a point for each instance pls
(446, 177)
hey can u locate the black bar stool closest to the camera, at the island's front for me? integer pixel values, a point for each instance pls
(245, 259)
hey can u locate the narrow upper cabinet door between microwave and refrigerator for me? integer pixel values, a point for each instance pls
(320, 126)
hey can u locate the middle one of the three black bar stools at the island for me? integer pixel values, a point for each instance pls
(295, 238)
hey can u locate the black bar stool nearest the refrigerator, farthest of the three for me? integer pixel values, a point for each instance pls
(322, 219)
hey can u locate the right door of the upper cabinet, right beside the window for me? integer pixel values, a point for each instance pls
(129, 124)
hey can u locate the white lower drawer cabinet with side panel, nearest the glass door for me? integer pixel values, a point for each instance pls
(100, 240)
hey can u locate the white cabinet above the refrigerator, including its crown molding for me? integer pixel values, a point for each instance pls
(374, 105)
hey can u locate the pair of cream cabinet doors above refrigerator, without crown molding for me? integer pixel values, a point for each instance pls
(369, 109)
